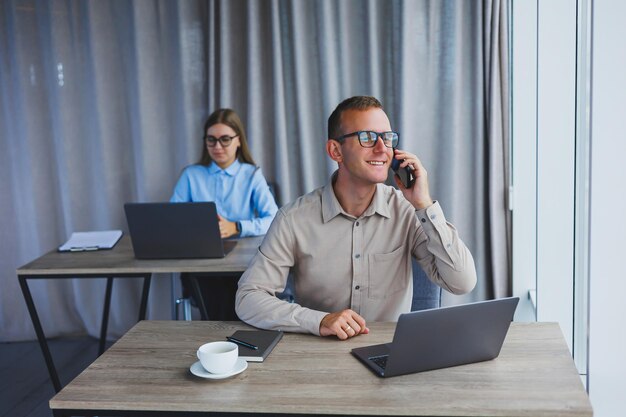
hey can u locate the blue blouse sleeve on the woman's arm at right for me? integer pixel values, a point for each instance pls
(263, 205)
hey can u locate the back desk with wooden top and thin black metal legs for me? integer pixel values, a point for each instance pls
(120, 262)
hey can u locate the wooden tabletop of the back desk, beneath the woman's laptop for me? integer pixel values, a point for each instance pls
(121, 260)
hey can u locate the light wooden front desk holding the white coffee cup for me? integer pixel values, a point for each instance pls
(147, 373)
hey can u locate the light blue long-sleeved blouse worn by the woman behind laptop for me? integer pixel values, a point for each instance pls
(240, 193)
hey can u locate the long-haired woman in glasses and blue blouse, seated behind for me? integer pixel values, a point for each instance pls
(226, 174)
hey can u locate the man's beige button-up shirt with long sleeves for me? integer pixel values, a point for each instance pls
(341, 262)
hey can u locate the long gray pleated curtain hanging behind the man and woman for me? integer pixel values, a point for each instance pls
(103, 103)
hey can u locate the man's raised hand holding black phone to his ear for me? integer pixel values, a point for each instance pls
(411, 178)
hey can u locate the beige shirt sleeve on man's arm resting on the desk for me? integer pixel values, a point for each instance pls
(256, 301)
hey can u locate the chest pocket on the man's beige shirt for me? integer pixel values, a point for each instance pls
(388, 273)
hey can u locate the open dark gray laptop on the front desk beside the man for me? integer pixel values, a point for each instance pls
(442, 337)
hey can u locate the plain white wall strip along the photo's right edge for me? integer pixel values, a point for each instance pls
(607, 331)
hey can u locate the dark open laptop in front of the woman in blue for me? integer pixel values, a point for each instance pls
(176, 231)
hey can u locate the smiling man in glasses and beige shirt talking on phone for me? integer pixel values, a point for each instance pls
(349, 244)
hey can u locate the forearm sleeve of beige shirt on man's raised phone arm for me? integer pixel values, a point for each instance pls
(441, 253)
